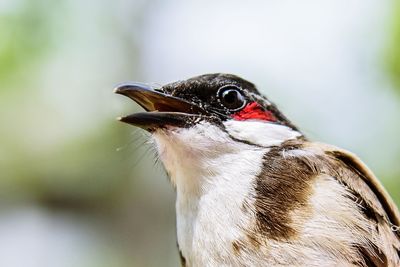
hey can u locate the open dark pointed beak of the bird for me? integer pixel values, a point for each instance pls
(162, 109)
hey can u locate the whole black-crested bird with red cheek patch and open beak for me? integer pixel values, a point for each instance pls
(252, 189)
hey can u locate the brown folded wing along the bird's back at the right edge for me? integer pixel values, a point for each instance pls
(376, 202)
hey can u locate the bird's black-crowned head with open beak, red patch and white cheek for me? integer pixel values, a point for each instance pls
(207, 116)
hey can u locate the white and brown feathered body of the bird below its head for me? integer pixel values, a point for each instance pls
(296, 203)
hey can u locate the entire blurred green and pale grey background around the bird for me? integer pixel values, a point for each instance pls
(78, 188)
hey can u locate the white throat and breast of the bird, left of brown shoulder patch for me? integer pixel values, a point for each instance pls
(214, 176)
